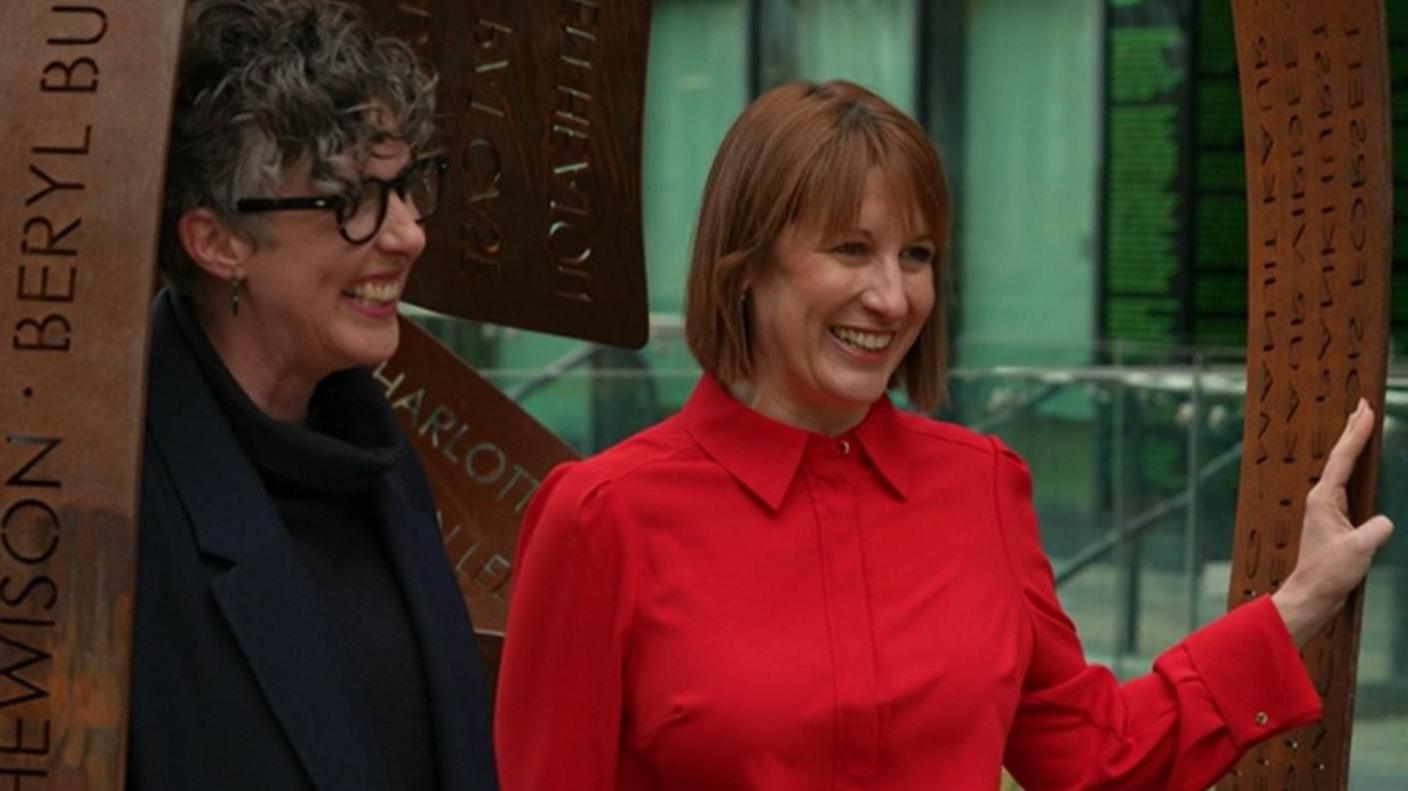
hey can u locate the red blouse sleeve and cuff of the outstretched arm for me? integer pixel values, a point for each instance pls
(1228, 686)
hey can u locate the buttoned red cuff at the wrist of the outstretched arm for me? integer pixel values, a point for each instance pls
(1254, 672)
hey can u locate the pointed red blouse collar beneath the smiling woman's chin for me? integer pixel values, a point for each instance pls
(765, 454)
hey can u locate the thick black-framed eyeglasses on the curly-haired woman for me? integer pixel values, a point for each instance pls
(361, 215)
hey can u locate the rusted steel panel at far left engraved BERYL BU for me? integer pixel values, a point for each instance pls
(84, 98)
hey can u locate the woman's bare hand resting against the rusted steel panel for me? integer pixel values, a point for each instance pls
(1334, 555)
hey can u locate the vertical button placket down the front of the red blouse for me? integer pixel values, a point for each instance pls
(848, 617)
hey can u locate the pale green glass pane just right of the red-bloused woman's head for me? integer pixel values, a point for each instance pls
(1027, 217)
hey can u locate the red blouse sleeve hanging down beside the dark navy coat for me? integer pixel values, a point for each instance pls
(558, 710)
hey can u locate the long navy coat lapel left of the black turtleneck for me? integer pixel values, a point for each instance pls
(277, 613)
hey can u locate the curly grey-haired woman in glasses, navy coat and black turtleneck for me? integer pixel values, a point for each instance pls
(298, 626)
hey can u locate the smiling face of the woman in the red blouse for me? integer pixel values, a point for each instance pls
(833, 316)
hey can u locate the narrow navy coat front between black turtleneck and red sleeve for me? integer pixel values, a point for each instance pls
(460, 702)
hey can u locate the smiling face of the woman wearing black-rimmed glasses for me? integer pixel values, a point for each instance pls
(315, 303)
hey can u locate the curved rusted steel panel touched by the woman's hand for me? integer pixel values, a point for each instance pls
(1316, 116)
